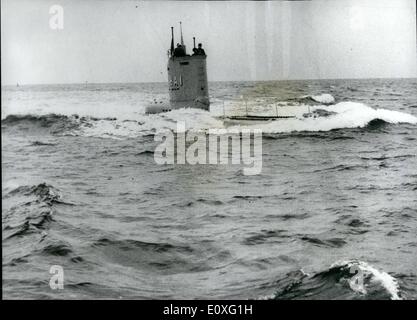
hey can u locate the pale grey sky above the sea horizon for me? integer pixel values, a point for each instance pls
(127, 41)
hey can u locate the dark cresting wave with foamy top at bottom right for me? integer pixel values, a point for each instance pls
(352, 279)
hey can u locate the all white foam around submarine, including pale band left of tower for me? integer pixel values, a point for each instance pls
(128, 109)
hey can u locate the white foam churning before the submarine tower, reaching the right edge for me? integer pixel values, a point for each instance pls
(346, 115)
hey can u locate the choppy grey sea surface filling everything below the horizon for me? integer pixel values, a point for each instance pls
(336, 198)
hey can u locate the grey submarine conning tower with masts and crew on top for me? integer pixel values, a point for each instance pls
(187, 79)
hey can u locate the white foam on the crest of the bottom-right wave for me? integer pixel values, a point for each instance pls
(382, 277)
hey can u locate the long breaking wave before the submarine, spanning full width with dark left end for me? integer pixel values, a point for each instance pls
(307, 118)
